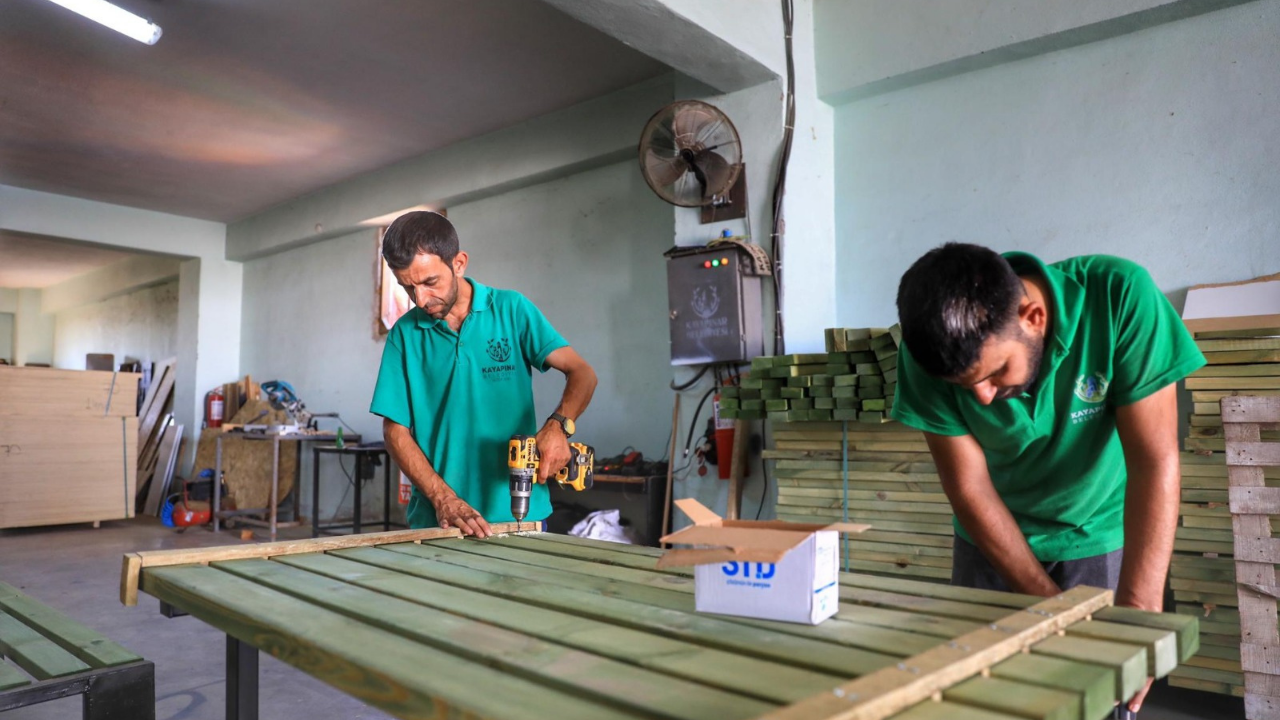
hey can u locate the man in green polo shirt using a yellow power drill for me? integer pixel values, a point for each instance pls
(456, 382)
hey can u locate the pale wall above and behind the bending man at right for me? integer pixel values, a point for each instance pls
(1158, 147)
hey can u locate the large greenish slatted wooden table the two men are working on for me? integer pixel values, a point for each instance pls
(527, 626)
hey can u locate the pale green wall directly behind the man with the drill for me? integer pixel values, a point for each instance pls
(587, 249)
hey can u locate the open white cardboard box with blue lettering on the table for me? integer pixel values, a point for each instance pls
(767, 569)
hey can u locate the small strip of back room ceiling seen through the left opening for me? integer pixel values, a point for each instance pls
(36, 262)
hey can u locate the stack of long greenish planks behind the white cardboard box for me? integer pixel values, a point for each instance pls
(893, 485)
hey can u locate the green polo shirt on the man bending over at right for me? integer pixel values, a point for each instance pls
(1054, 454)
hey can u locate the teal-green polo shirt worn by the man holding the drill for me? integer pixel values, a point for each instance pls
(465, 394)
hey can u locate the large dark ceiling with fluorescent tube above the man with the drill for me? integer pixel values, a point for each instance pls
(245, 104)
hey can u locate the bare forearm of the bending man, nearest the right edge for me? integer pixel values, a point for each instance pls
(1150, 526)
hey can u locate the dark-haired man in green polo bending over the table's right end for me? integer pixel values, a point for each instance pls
(1048, 399)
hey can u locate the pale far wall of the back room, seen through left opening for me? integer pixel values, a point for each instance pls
(138, 326)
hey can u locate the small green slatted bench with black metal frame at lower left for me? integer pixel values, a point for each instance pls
(51, 657)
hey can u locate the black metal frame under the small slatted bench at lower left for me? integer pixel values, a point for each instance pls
(126, 692)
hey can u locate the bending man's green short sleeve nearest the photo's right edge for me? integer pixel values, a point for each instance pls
(1154, 348)
